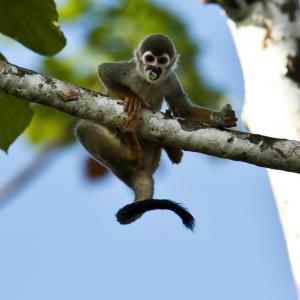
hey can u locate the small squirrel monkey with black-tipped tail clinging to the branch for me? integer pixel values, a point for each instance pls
(144, 81)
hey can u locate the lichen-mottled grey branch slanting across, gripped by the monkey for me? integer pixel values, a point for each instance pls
(251, 148)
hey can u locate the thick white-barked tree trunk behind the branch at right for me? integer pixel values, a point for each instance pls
(272, 95)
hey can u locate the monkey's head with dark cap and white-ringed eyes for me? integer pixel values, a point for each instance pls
(155, 56)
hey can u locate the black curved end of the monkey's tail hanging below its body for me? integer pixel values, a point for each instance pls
(133, 211)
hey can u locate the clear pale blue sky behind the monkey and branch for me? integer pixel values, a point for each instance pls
(59, 238)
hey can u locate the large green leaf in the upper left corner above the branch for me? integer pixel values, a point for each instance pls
(34, 23)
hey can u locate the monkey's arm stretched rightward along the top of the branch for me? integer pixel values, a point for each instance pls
(182, 107)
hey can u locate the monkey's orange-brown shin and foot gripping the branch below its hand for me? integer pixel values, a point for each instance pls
(129, 129)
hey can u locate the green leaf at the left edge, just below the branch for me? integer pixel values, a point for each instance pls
(15, 116)
